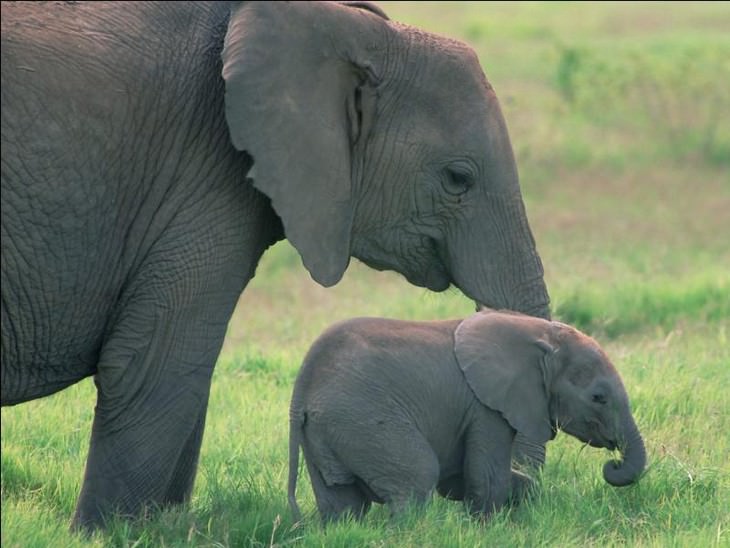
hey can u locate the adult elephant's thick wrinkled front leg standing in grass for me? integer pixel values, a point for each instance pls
(153, 379)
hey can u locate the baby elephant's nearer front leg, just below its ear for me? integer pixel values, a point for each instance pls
(487, 459)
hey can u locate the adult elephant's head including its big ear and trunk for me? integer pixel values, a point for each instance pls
(379, 141)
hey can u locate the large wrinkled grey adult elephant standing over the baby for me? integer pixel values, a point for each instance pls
(132, 218)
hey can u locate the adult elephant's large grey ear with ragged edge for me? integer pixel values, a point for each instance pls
(299, 96)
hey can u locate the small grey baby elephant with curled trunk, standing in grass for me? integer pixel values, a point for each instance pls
(388, 410)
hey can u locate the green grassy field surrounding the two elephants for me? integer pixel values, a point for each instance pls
(619, 118)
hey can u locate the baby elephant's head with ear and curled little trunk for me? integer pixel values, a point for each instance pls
(542, 374)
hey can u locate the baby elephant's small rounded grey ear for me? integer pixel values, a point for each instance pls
(501, 356)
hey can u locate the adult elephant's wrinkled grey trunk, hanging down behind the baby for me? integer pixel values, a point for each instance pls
(491, 253)
